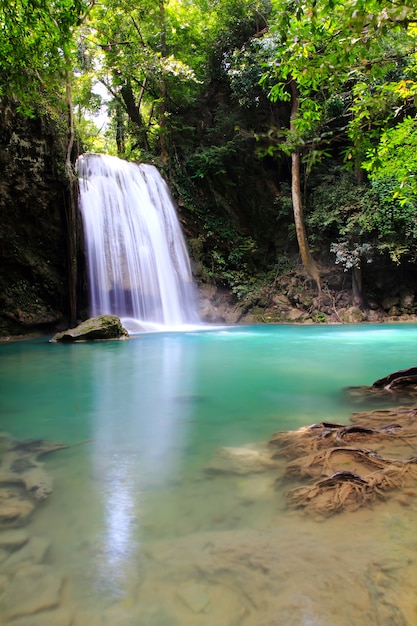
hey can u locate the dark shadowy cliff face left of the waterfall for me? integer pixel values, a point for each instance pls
(33, 249)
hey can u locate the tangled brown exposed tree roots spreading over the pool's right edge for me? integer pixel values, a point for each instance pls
(349, 477)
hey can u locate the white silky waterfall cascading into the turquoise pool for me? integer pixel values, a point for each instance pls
(138, 264)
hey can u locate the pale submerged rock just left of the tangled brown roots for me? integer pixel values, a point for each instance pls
(245, 460)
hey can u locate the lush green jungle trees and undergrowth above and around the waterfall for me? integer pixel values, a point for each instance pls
(313, 99)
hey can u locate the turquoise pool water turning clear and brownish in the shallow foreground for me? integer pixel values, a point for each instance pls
(144, 536)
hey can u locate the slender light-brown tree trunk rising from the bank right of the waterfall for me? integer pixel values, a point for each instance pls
(306, 258)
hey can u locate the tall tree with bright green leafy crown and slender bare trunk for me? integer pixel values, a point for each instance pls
(326, 50)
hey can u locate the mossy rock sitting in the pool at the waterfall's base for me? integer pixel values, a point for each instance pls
(95, 328)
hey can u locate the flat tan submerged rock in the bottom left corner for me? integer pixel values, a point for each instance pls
(32, 589)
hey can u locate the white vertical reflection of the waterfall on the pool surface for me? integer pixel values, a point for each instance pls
(139, 432)
